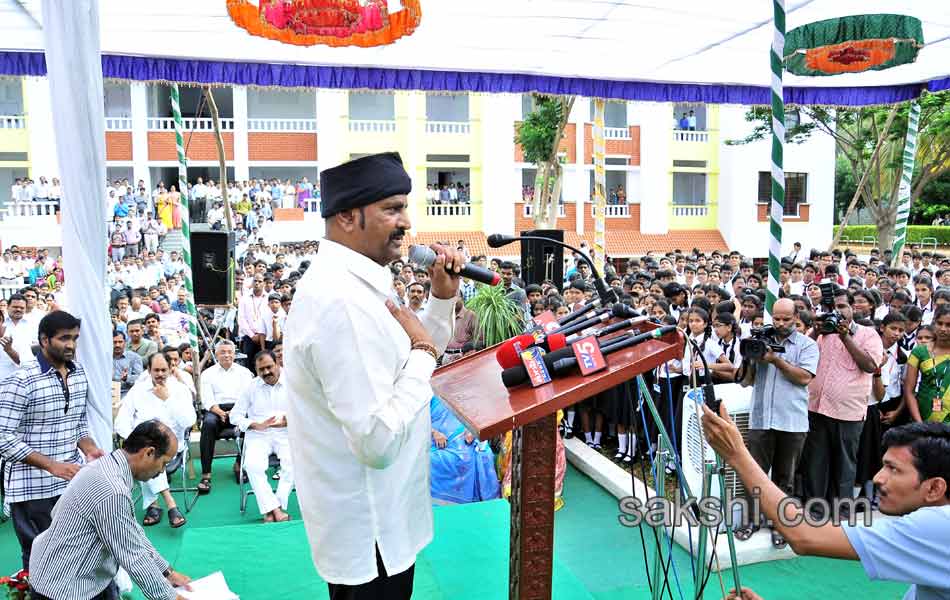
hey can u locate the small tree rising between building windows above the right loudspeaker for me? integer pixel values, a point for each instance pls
(539, 137)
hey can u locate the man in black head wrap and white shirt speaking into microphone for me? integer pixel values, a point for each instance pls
(358, 366)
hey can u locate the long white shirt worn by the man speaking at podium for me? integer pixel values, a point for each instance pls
(359, 417)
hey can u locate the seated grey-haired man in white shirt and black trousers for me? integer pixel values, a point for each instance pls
(221, 387)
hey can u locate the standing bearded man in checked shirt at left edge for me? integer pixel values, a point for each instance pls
(43, 428)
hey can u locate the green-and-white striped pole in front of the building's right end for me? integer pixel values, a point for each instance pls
(778, 150)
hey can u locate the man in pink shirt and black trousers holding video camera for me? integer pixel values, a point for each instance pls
(837, 398)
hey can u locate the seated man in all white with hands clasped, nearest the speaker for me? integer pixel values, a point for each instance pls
(261, 412)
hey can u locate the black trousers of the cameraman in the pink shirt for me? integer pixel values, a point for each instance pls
(830, 458)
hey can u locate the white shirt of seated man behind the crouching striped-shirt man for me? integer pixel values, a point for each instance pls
(141, 404)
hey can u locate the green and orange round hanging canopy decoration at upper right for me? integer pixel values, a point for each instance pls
(853, 44)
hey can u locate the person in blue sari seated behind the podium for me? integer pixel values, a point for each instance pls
(462, 467)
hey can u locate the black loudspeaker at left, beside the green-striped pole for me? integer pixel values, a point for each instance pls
(212, 266)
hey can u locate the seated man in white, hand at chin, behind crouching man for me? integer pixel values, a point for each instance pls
(163, 398)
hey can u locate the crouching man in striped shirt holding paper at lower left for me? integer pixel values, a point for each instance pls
(94, 530)
